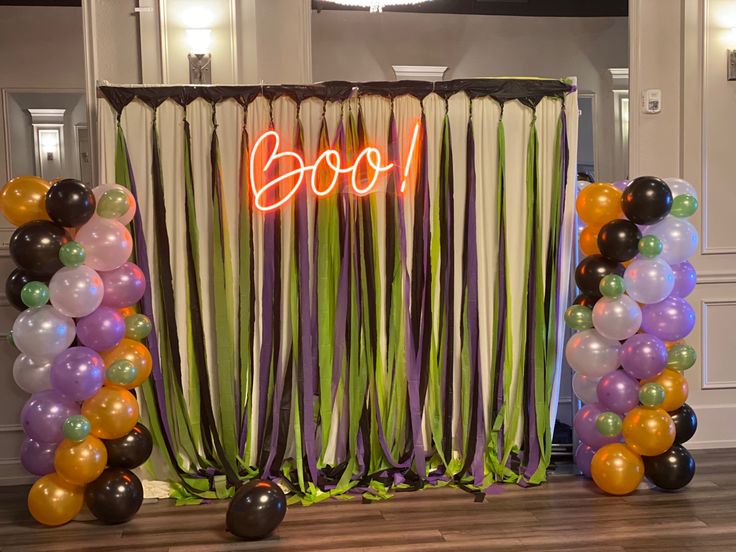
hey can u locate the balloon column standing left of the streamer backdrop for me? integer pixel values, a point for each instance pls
(79, 356)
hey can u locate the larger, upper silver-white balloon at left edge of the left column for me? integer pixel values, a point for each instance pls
(43, 332)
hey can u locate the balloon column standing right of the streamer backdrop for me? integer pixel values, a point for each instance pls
(631, 318)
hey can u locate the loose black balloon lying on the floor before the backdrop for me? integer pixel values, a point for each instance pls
(256, 510)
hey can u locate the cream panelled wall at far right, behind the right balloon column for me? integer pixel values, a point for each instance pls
(679, 46)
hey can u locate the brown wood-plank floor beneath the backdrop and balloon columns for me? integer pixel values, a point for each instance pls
(567, 513)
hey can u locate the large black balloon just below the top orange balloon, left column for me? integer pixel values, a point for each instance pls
(35, 247)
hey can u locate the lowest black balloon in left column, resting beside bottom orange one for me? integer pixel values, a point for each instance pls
(115, 496)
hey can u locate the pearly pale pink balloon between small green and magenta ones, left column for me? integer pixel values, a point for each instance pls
(76, 291)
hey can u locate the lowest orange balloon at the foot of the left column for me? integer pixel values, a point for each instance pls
(54, 501)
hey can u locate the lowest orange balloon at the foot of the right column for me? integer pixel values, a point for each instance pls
(616, 469)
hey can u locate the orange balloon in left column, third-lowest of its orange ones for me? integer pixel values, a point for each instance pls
(112, 412)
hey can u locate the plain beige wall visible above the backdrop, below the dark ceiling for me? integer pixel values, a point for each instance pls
(359, 46)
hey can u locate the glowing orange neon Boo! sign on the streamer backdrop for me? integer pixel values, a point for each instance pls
(328, 161)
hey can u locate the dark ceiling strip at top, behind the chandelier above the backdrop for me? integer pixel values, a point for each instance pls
(539, 8)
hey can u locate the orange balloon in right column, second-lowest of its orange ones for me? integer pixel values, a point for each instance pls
(648, 431)
